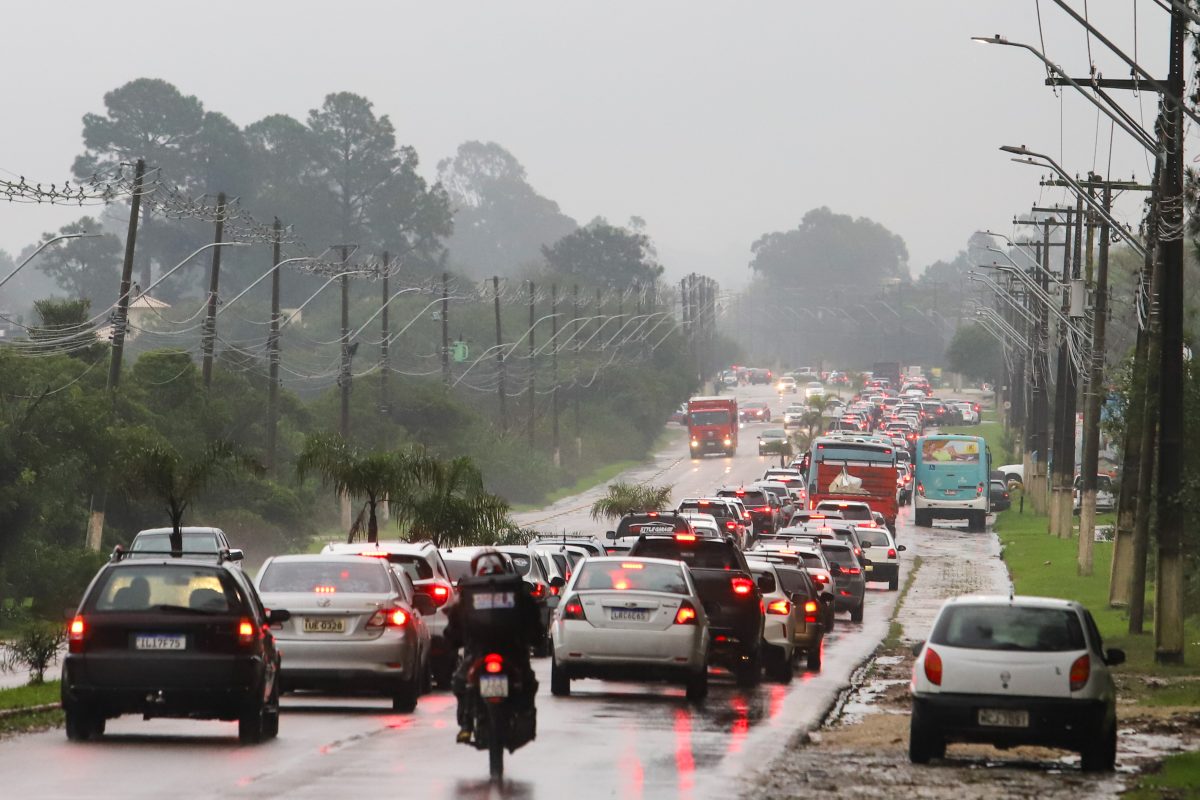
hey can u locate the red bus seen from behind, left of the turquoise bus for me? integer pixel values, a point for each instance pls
(845, 468)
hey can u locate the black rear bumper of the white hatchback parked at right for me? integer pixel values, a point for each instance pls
(1054, 723)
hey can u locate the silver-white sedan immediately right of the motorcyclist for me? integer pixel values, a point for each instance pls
(631, 619)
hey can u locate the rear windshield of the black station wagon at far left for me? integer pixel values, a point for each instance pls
(166, 588)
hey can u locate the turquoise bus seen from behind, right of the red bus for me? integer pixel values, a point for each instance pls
(952, 474)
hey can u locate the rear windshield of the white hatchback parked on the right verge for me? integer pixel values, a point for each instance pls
(1010, 628)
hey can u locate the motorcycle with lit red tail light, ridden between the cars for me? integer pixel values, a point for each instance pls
(502, 709)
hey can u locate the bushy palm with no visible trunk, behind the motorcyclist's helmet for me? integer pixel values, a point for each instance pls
(448, 506)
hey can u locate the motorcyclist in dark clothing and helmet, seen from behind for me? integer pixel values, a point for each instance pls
(507, 623)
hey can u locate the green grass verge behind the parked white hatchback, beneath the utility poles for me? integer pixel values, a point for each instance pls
(1047, 567)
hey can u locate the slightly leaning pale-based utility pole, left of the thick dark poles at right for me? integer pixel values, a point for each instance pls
(1095, 399)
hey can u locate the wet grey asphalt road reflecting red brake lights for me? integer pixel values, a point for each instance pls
(607, 741)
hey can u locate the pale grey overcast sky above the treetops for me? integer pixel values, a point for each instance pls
(717, 122)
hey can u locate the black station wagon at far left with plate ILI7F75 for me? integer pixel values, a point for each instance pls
(172, 637)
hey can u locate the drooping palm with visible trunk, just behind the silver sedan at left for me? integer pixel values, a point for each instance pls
(374, 477)
